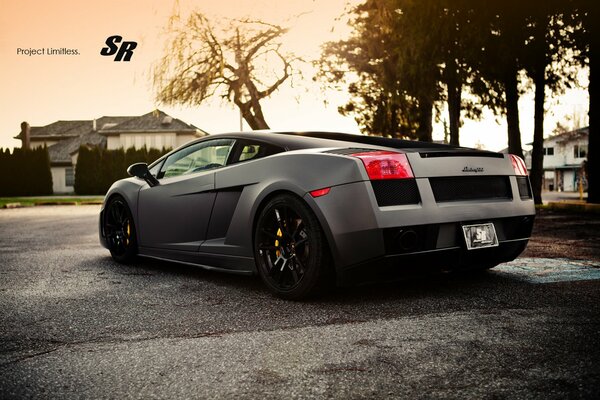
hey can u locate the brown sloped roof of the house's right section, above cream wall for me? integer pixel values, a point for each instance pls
(154, 121)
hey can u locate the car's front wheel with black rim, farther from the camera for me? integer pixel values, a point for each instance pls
(119, 230)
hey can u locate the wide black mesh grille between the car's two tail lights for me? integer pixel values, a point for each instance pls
(460, 188)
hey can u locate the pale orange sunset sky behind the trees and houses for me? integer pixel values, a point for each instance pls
(43, 89)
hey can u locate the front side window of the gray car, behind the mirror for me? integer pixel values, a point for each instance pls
(198, 157)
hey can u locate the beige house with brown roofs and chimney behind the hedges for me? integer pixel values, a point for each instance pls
(63, 139)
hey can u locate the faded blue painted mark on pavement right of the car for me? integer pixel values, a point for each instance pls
(551, 270)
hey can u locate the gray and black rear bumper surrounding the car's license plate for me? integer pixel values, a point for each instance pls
(359, 231)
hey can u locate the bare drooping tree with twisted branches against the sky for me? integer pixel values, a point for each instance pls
(234, 62)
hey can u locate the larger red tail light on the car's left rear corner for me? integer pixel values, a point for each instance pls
(385, 165)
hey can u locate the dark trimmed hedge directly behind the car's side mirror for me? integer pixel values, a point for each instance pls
(97, 168)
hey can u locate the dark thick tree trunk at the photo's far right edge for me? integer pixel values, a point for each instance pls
(594, 144)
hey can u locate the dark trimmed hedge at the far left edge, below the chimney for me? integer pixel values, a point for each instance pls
(25, 172)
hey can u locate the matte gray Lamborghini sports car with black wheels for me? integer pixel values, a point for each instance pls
(302, 209)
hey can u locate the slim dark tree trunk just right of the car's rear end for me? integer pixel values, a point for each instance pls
(537, 154)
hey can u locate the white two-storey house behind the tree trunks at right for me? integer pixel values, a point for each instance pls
(564, 155)
